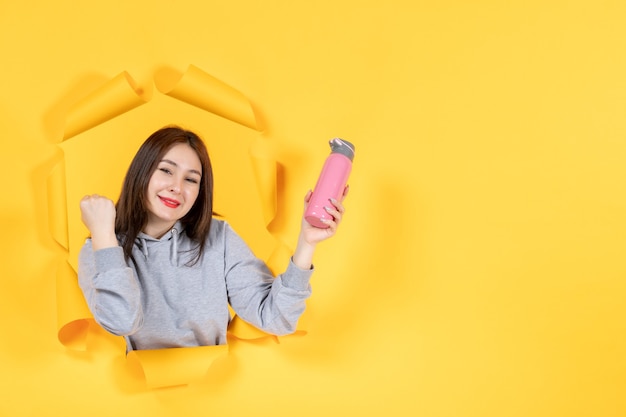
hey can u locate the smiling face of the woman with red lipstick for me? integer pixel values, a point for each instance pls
(173, 189)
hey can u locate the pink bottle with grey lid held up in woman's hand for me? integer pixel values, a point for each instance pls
(331, 182)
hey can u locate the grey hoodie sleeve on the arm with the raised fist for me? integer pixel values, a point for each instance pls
(111, 289)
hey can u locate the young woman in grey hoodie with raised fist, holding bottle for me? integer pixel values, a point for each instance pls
(159, 270)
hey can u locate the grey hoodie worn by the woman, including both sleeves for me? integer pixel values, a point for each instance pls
(158, 301)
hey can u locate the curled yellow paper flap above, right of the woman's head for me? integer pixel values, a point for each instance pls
(202, 90)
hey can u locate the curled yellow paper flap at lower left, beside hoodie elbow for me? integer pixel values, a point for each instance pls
(73, 315)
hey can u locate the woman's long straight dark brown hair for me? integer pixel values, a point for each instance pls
(131, 207)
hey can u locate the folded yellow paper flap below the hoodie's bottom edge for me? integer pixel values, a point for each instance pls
(175, 366)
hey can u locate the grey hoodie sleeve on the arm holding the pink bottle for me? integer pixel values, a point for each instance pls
(274, 305)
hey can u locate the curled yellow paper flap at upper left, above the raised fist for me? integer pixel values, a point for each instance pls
(116, 97)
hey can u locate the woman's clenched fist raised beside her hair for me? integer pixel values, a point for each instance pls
(98, 214)
